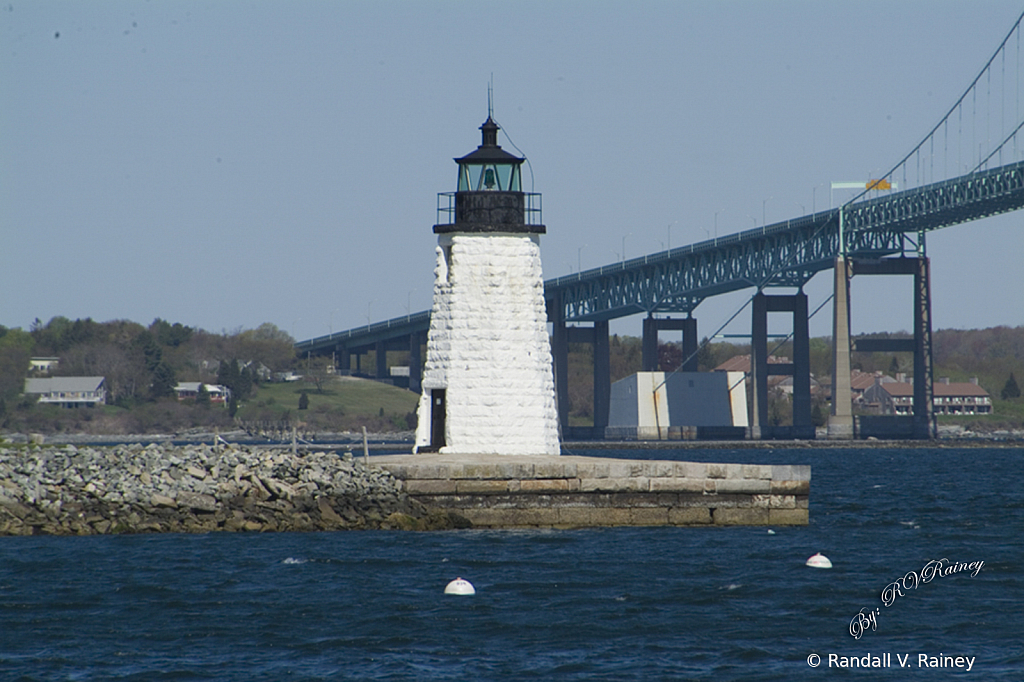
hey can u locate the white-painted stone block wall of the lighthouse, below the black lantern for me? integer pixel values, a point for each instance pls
(488, 348)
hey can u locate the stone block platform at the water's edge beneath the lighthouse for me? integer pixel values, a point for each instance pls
(580, 492)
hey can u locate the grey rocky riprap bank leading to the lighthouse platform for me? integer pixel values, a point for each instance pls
(198, 489)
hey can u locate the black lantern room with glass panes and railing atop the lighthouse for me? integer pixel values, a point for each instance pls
(490, 198)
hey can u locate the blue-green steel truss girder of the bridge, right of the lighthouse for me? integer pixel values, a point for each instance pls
(786, 254)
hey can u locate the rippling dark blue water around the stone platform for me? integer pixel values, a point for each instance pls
(590, 605)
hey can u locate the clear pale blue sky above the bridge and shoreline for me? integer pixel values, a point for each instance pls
(226, 164)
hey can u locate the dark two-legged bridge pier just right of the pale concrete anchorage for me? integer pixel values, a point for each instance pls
(800, 369)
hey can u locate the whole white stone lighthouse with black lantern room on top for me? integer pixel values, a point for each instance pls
(488, 383)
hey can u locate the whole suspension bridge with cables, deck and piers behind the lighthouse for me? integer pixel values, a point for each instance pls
(950, 179)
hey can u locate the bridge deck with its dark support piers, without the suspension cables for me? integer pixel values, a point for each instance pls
(884, 236)
